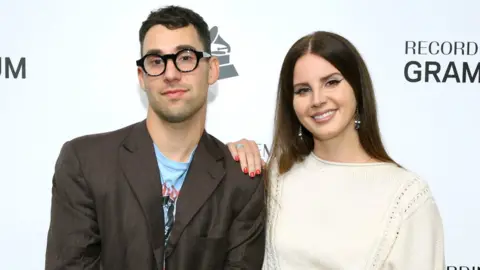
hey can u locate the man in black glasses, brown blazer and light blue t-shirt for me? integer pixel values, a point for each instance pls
(161, 193)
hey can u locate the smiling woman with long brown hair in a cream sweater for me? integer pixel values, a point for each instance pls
(336, 199)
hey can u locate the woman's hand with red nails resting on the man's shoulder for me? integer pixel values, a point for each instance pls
(247, 153)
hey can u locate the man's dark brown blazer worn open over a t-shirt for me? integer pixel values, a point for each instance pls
(107, 208)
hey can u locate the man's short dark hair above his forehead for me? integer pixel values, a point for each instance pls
(174, 17)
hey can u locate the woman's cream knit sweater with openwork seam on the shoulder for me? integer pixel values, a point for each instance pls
(327, 215)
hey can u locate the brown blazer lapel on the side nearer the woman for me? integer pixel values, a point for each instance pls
(205, 173)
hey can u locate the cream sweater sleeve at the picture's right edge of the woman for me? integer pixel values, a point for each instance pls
(420, 242)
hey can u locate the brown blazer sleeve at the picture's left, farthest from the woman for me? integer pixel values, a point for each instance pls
(73, 240)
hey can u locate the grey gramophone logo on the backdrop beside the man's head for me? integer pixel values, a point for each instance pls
(221, 50)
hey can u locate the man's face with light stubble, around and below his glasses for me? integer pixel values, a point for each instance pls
(176, 96)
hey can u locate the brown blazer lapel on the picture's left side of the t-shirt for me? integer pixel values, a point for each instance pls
(138, 162)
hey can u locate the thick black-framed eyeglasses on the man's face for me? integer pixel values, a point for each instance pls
(185, 61)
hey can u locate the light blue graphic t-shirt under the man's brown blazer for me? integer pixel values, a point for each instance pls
(172, 176)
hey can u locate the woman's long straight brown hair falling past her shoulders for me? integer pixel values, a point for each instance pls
(287, 147)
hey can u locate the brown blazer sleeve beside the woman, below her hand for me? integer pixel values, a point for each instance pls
(247, 233)
